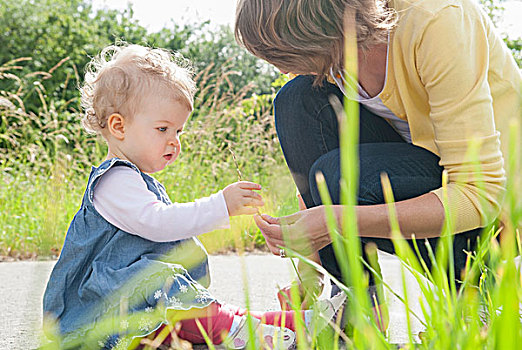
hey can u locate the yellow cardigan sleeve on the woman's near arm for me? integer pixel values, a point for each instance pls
(452, 62)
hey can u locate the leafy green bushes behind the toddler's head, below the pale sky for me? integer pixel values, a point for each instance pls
(64, 34)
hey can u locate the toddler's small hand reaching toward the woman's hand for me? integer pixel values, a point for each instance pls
(241, 199)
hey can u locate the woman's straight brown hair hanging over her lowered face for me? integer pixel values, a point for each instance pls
(306, 36)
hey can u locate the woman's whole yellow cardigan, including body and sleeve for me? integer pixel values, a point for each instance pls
(454, 80)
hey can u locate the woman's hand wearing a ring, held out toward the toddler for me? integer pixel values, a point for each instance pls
(305, 232)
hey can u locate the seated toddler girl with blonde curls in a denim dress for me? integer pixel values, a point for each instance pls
(131, 262)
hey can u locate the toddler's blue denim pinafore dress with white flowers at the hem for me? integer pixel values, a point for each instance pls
(110, 286)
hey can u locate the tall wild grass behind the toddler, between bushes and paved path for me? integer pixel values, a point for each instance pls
(46, 158)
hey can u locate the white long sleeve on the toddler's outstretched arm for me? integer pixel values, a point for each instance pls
(123, 199)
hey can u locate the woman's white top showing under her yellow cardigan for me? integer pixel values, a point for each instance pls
(374, 104)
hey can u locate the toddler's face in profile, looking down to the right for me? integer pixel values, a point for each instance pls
(152, 135)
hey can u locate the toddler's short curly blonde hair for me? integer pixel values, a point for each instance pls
(122, 75)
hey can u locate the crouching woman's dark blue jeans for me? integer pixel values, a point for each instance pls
(308, 133)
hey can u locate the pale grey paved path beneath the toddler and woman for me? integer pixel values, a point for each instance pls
(23, 283)
